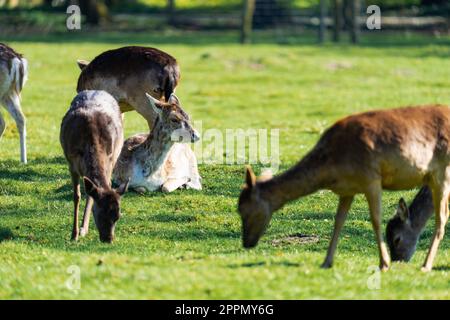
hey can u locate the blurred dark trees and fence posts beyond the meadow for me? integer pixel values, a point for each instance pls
(282, 17)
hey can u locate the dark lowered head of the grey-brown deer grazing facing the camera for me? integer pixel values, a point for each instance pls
(106, 207)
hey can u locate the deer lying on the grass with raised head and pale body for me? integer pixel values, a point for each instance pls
(145, 159)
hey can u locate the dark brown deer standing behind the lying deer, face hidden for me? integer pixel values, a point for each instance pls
(128, 73)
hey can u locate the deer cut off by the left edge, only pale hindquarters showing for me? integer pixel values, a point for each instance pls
(13, 76)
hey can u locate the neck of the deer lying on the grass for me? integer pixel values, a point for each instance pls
(156, 147)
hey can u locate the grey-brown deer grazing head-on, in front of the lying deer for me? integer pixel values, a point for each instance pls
(91, 137)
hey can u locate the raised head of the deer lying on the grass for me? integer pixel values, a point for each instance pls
(176, 122)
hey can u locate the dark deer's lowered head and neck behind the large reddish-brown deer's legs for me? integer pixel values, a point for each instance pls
(404, 229)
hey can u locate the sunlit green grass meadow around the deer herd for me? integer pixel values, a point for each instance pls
(187, 244)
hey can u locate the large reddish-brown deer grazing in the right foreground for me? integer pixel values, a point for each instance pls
(364, 153)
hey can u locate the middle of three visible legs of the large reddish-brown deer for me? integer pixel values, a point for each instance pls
(373, 197)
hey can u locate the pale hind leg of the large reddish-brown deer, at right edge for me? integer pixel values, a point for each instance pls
(440, 201)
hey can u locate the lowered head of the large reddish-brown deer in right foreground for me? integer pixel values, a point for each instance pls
(255, 212)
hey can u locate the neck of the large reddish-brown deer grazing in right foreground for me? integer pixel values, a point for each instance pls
(304, 178)
